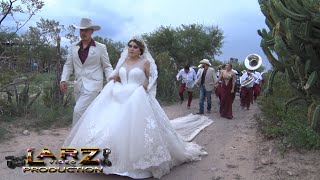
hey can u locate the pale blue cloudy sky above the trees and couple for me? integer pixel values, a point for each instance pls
(122, 19)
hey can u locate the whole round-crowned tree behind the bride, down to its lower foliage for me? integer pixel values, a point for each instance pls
(173, 48)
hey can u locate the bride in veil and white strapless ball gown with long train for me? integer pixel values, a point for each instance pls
(127, 119)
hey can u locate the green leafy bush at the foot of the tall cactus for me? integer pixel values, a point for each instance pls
(291, 126)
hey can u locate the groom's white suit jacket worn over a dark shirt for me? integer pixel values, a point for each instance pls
(88, 75)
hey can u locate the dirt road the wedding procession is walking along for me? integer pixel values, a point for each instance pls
(236, 151)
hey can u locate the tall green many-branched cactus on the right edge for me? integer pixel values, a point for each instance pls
(294, 35)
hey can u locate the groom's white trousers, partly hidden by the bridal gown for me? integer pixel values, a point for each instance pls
(83, 99)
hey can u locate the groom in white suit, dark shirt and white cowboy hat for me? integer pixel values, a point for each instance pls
(88, 60)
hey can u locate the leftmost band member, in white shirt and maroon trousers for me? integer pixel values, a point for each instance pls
(187, 76)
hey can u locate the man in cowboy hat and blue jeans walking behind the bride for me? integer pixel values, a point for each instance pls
(206, 81)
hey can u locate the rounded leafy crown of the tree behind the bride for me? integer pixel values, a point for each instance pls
(187, 44)
